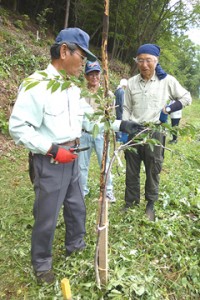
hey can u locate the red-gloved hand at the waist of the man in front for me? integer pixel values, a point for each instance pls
(61, 155)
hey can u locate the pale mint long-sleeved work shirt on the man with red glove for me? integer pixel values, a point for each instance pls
(40, 117)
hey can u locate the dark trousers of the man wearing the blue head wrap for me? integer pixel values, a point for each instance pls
(153, 160)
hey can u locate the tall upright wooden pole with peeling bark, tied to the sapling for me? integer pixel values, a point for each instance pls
(101, 260)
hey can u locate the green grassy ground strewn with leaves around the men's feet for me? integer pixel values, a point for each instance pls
(146, 260)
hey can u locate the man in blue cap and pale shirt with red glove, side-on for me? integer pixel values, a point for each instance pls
(49, 125)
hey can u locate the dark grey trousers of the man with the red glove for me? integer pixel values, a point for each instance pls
(56, 185)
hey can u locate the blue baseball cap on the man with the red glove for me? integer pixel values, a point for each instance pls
(76, 36)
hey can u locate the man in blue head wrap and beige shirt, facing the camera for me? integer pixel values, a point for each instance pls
(146, 96)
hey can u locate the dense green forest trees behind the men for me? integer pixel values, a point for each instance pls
(131, 23)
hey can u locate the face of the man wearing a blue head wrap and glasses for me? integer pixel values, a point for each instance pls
(146, 64)
